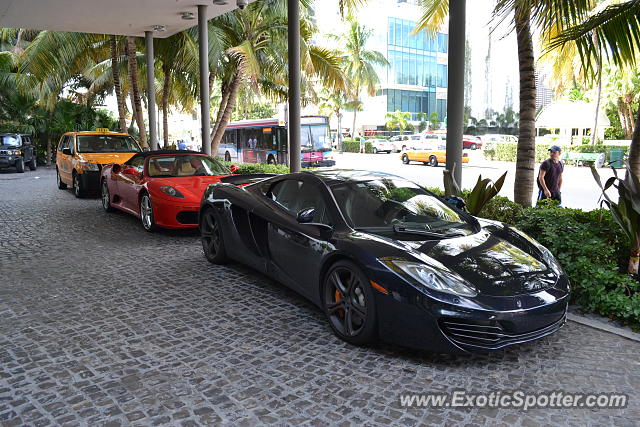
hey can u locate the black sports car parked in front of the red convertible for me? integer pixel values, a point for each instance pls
(386, 259)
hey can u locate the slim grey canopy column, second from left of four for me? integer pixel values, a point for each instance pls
(203, 45)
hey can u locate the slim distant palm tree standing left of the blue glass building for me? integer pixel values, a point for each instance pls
(359, 63)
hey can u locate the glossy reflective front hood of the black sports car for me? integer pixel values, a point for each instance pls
(495, 262)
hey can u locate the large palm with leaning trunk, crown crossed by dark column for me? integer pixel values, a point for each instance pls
(253, 52)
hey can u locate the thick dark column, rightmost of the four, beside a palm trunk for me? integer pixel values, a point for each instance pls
(455, 91)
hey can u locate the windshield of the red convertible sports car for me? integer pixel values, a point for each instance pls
(185, 165)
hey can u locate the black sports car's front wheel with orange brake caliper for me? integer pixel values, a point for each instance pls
(349, 304)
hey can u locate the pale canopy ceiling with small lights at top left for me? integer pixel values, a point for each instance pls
(121, 17)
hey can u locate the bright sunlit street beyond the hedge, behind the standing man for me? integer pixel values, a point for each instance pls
(579, 189)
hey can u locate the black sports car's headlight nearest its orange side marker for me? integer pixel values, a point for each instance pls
(437, 280)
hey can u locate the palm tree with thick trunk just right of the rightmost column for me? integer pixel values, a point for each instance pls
(522, 15)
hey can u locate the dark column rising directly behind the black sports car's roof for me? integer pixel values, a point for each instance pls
(293, 19)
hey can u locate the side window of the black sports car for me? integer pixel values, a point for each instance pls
(295, 195)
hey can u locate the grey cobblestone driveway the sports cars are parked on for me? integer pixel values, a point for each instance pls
(102, 323)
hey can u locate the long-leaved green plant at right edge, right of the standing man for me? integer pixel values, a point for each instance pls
(626, 212)
